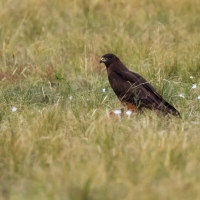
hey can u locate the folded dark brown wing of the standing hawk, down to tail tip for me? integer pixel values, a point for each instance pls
(133, 88)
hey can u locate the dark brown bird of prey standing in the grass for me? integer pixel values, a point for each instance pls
(132, 89)
